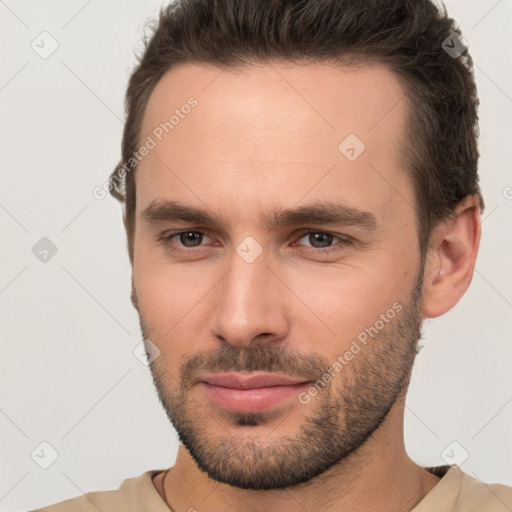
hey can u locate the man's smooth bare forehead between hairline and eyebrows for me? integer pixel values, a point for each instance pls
(268, 133)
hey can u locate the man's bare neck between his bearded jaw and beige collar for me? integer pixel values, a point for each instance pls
(377, 475)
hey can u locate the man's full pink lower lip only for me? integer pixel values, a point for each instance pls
(251, 400)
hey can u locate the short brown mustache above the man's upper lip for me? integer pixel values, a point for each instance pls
(269, 358)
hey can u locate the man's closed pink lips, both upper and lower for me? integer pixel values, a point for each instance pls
(250, 392)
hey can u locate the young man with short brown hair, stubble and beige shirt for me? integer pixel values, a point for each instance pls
(300, 190)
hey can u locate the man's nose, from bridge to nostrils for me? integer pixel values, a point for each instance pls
(250, 304)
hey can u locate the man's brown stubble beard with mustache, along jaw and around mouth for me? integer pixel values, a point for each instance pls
(340, 419)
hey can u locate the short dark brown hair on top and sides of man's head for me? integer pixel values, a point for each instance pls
(407, 35)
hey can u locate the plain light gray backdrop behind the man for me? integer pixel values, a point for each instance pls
(68, 329)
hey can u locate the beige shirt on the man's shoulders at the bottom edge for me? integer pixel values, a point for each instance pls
(455, 492)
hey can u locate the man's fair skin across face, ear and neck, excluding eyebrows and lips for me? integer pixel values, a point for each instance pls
(264, 137)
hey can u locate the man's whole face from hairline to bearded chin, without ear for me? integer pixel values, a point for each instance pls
(318, 299)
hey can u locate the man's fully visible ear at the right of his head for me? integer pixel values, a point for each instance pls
(451, 258)
